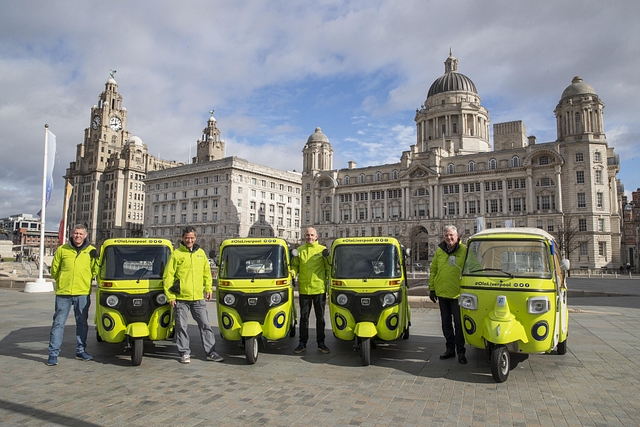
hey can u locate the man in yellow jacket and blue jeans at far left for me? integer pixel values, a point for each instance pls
(73, 267)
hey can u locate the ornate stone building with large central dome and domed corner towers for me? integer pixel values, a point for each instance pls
(451, 175)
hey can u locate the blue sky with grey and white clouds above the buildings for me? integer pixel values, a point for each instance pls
(273, 71)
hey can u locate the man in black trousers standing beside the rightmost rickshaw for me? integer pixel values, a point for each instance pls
(444, 287)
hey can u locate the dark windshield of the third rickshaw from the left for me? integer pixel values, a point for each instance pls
(366, 261)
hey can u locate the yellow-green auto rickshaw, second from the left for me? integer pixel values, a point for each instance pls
(254, 296)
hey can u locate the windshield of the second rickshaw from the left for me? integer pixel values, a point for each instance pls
(241, 262)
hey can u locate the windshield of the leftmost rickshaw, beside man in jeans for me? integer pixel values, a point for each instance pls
(134, 262)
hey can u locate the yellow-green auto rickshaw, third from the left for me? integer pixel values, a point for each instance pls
(368, 292)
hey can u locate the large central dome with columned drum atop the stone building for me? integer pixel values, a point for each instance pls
(452, 112)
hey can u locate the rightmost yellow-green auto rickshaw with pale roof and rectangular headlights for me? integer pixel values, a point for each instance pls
(514, 295)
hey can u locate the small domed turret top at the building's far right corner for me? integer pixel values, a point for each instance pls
(579, 113)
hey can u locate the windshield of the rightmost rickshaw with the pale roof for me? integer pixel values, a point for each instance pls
(500, 257)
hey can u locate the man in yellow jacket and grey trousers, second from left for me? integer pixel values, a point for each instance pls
(188, 285)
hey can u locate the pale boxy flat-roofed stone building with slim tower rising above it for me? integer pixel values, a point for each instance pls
(222, 197)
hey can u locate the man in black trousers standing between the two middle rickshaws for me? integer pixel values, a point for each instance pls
(312, 270)
